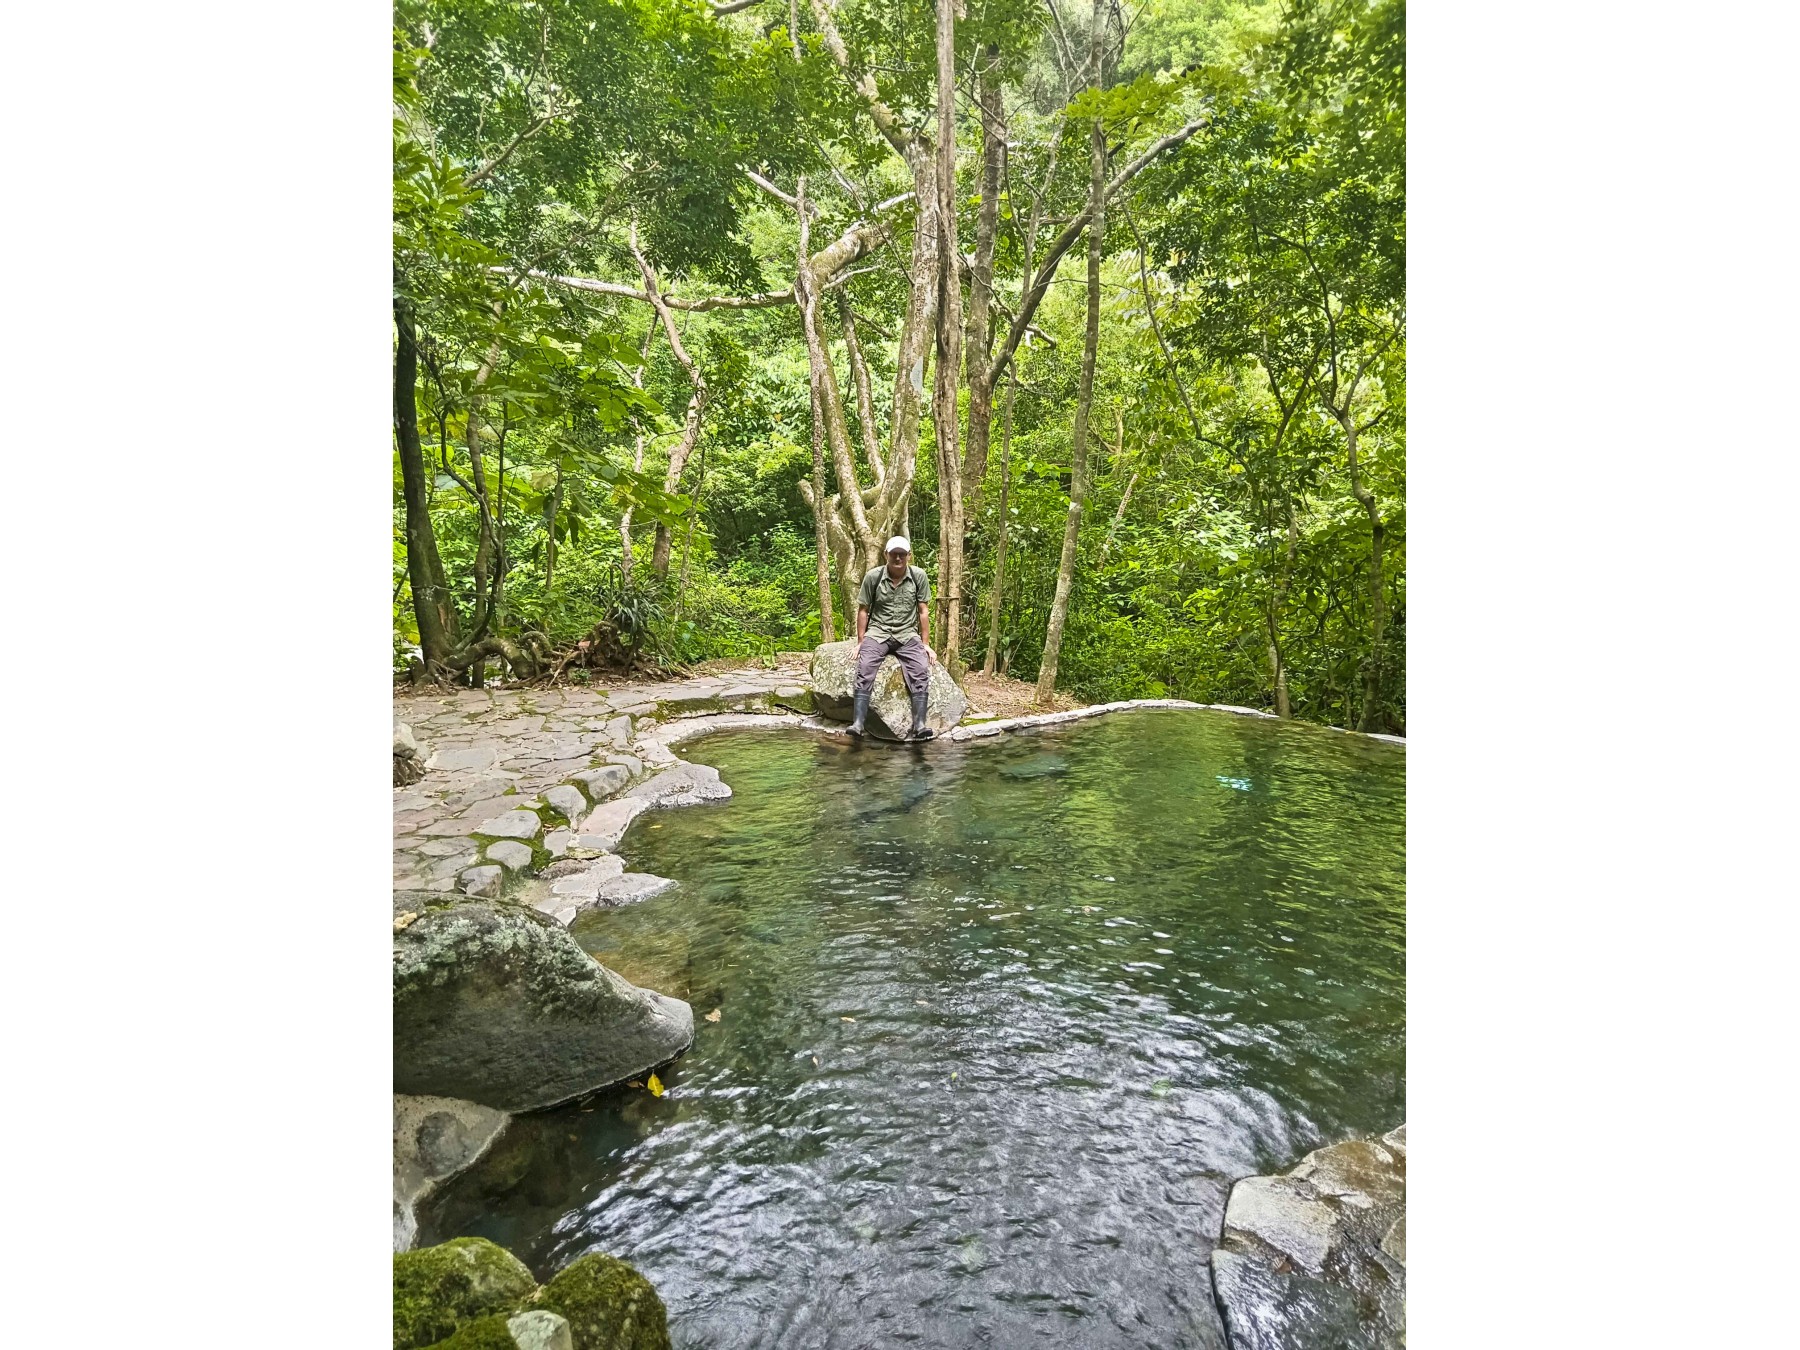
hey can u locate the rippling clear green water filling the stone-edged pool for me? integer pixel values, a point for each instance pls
(1000, 1025)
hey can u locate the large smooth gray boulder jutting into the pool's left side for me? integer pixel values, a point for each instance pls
(496, 1003)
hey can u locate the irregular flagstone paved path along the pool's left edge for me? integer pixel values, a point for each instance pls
(543, 782)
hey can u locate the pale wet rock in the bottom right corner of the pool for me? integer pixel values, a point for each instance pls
(1318, 1257)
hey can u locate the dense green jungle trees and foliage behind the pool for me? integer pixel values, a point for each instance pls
(1102, 305)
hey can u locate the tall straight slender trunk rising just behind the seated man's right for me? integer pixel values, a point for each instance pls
(949, 354)
